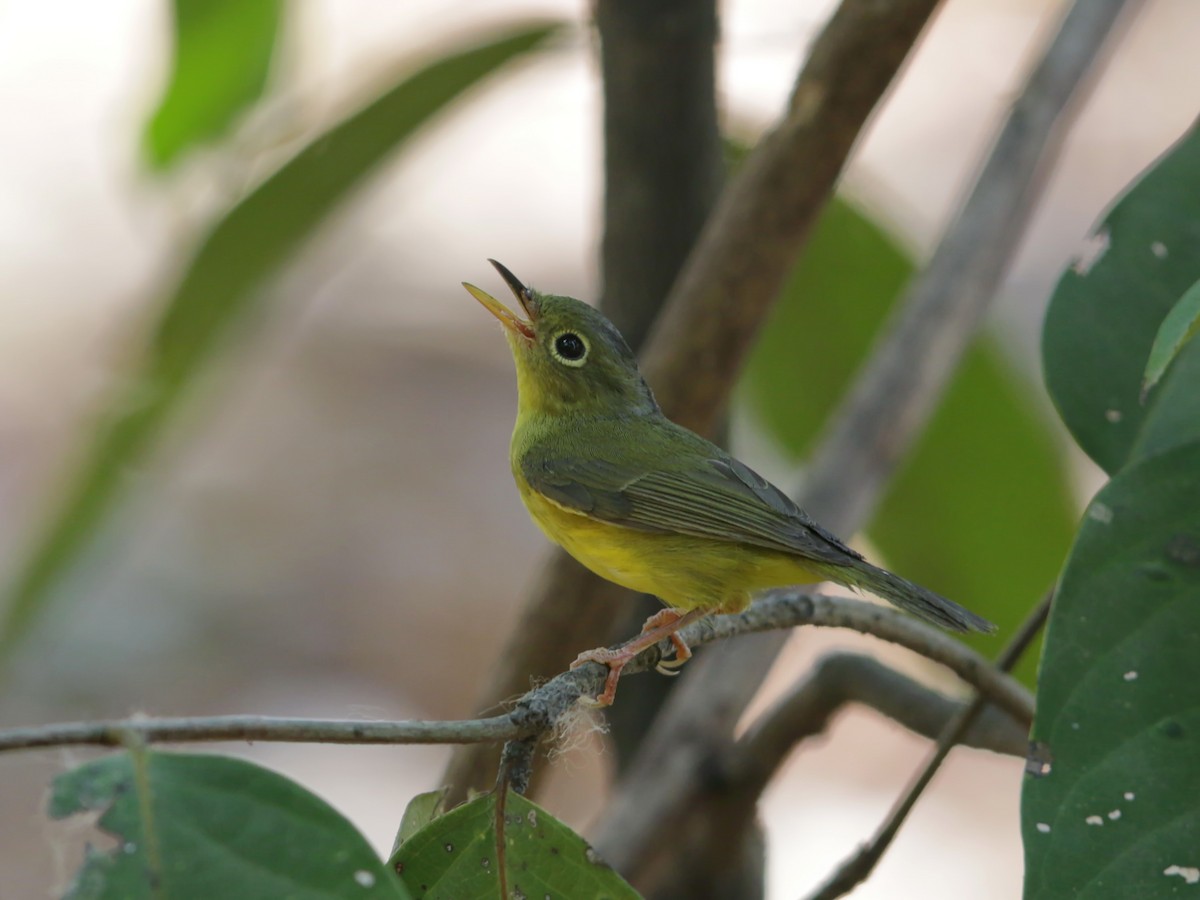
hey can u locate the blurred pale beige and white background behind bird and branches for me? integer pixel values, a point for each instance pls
(329, 527)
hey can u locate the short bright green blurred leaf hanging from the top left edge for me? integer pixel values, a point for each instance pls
(224, 53)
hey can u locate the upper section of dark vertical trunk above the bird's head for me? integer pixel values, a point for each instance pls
(663, 149)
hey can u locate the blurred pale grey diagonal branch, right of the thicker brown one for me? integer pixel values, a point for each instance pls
(884, 415)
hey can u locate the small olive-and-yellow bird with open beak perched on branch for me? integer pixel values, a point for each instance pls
(650, 505)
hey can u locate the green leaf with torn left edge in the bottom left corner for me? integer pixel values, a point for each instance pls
(203, 827)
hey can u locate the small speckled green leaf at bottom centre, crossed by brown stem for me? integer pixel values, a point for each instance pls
(455, 857)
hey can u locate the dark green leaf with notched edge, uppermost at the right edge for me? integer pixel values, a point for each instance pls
(1106, 313)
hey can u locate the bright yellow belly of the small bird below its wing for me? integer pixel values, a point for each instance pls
(682, 571)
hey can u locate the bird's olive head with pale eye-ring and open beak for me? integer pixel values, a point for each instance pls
(569, 357)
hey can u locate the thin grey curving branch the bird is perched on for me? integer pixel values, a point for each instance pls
(539, 710)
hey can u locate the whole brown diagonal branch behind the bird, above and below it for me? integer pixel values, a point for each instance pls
(719, 302)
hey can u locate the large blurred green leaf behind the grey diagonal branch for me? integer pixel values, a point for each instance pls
(981, 511)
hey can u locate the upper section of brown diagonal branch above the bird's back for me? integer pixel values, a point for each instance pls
(755, 236)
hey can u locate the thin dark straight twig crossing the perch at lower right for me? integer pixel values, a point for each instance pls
(856, 869)
